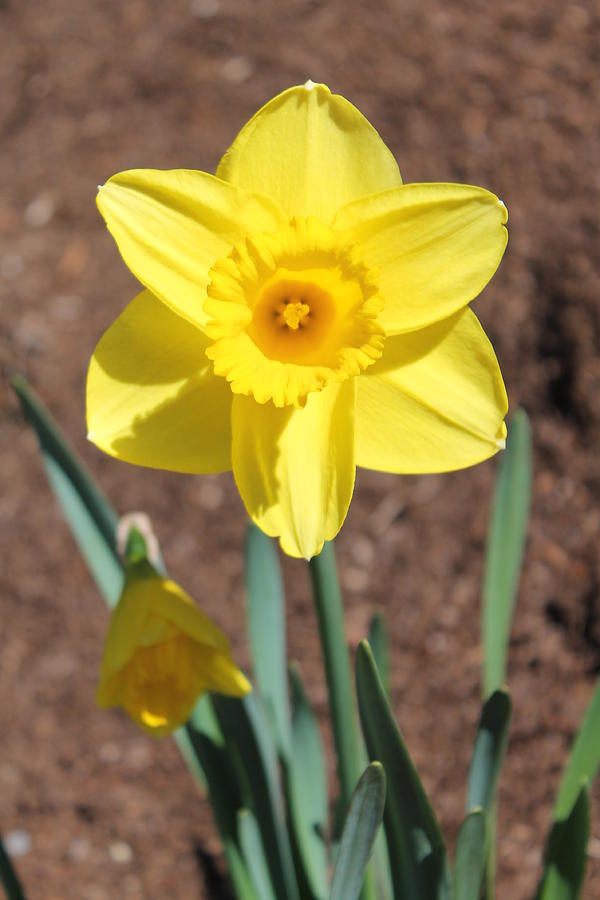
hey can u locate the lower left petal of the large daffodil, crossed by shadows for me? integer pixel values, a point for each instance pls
(152, 396)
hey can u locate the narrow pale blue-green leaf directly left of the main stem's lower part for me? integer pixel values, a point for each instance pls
(306, 788)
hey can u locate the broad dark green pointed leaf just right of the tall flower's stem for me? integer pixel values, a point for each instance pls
(418, 859)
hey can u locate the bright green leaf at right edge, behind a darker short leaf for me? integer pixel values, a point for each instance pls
(584, 760)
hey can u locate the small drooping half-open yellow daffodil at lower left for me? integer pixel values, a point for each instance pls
(162, 653)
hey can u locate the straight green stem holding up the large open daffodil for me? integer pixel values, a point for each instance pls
(330, 618)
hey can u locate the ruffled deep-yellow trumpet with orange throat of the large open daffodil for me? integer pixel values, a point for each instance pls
(291, 311)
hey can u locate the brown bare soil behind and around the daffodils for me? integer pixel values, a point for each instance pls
(504, 95)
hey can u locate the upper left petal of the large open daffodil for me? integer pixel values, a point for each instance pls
(172, 226)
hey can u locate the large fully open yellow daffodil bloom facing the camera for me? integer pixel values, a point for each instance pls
(304, 313)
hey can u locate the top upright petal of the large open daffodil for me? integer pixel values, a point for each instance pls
(312, 151)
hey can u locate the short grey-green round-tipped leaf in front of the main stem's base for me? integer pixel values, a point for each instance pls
(358, 835)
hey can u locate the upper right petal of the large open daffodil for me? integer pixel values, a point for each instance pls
(436, 246)
